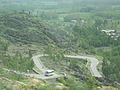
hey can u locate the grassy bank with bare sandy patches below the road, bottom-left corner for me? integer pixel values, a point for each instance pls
(11, 80)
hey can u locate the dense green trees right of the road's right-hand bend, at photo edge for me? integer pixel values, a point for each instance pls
(111, 67)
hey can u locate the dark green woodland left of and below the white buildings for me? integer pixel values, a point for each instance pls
(90, 35)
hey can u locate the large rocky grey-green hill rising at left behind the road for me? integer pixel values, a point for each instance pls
(21, 27)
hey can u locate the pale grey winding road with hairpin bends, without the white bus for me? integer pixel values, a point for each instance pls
(36, 59)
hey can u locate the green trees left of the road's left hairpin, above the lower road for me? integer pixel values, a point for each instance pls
(17, 62)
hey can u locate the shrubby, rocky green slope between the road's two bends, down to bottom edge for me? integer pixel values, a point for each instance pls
(78, 75)
